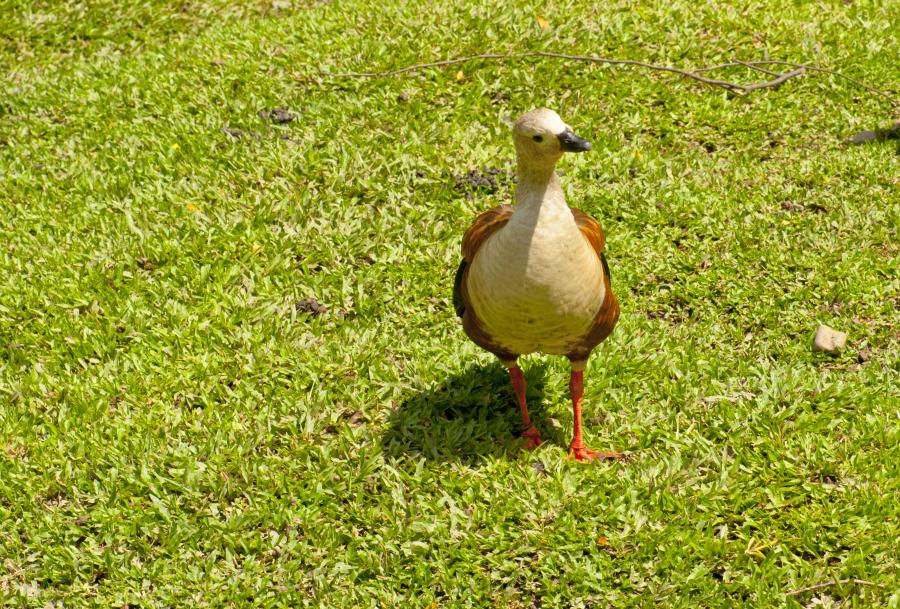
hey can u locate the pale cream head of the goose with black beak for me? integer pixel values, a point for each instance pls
(541, 138)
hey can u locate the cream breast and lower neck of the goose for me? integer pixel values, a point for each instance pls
(537, 284)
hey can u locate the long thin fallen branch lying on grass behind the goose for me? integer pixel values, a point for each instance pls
(780, 78)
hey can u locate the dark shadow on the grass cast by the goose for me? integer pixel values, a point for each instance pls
(466, 417)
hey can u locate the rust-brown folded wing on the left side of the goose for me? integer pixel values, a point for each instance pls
(484, 226)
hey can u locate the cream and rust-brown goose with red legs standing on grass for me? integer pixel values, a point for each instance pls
(533, 277)
